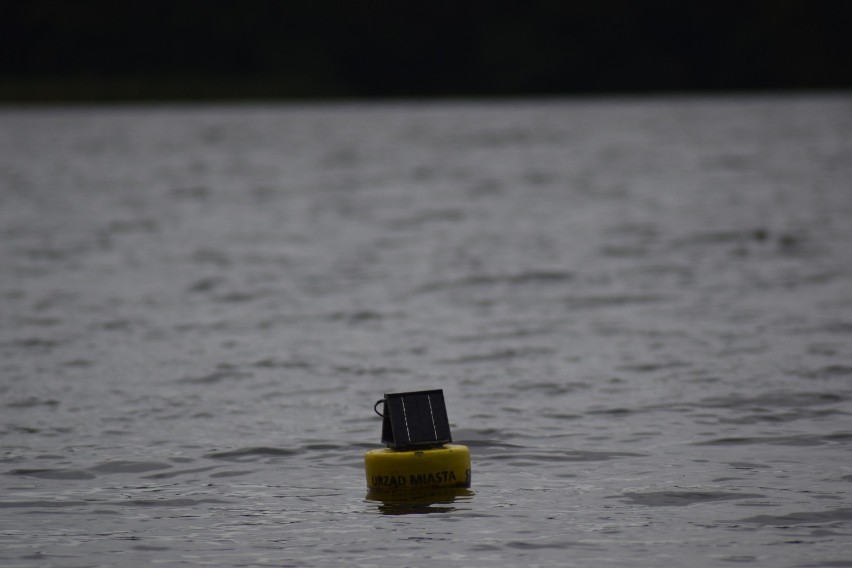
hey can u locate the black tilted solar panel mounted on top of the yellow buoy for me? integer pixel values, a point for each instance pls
(415, 420)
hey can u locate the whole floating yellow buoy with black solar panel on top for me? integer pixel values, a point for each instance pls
(420, 454)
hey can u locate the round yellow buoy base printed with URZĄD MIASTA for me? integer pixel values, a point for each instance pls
(446, 466)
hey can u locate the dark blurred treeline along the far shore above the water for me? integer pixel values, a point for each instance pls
(63, 49)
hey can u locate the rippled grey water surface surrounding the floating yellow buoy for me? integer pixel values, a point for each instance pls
(640, 312)
